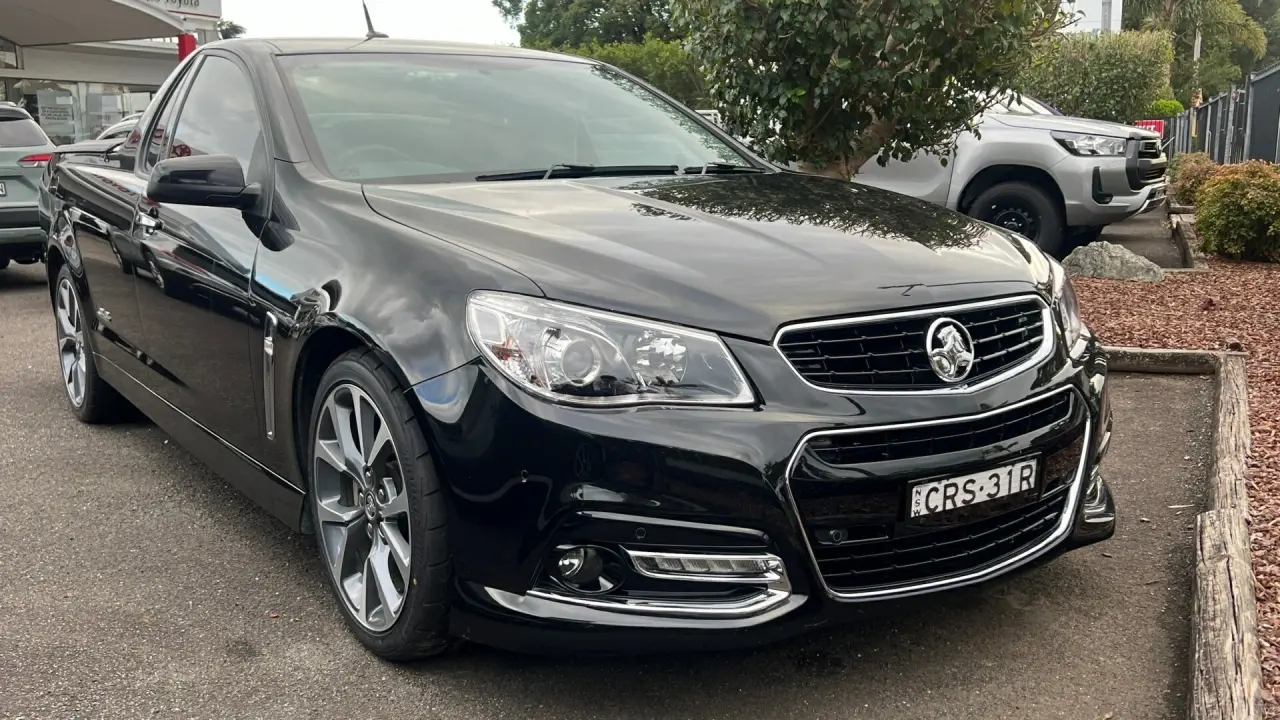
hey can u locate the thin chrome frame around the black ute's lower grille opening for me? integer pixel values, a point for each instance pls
(1025, 557)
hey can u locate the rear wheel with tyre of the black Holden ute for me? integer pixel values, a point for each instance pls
(92, 399)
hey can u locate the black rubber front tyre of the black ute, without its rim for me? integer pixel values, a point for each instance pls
(422, 628)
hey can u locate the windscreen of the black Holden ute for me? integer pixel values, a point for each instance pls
(446, 119)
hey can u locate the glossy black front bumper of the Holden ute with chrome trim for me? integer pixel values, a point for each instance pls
(529, 479)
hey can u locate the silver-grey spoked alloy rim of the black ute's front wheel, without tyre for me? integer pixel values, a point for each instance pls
(362, 508)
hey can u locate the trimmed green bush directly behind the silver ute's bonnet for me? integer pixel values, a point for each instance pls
(1114, 76)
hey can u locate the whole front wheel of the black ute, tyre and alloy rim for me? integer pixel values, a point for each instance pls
(380, 512)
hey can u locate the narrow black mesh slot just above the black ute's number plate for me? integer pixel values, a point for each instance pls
(904, 444)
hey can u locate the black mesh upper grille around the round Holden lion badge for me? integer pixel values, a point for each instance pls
(889, 354)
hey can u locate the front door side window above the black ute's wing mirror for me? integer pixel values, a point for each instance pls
(220, 116)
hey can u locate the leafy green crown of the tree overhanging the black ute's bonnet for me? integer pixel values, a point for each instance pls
(834, 84)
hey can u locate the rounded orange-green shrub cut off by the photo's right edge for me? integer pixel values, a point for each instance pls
(1238, 212)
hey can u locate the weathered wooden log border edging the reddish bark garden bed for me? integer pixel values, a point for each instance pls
(1227, 671)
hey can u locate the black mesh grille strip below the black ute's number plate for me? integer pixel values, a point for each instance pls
(939, 554)
